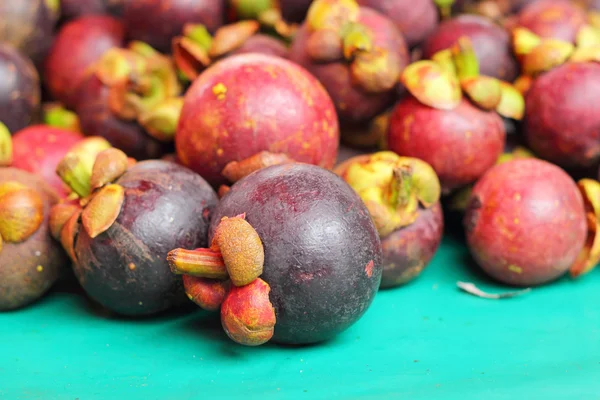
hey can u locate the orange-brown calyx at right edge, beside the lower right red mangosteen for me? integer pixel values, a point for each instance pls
(590, 255)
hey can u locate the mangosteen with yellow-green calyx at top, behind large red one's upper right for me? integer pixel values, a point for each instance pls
(357, 54)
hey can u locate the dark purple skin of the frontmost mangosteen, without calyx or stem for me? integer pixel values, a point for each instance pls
(322, 251)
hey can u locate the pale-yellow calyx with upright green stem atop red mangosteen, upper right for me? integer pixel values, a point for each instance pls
(441, 82)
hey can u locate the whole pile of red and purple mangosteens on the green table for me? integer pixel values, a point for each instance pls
(279, 162)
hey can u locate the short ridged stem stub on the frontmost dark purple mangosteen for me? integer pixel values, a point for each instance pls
(201, 263)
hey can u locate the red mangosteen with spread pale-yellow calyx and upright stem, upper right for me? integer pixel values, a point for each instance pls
(461, 137)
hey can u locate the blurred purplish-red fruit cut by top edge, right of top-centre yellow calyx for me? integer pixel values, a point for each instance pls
(415, 19)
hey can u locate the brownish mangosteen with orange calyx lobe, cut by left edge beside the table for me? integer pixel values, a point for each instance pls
(30, 260)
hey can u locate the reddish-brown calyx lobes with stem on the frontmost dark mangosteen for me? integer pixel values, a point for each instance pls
(226, 276)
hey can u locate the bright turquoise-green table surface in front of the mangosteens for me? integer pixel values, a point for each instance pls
(427, 340)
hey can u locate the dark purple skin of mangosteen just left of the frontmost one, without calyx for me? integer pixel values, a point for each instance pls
(166, 206)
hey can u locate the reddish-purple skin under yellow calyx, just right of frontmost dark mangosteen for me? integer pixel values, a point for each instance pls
(407, 251)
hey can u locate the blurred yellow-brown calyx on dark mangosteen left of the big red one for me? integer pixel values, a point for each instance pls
(143, 87)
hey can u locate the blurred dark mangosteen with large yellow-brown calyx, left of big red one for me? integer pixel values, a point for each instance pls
(131, 98)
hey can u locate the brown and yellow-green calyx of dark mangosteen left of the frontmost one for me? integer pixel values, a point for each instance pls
(99, 200)
